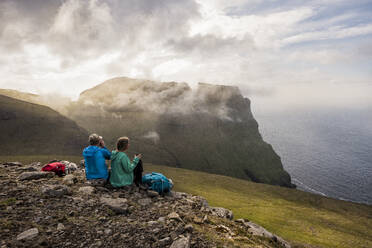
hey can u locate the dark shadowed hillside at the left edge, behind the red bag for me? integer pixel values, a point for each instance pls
(29, 129)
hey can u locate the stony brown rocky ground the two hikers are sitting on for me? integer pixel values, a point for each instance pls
(41, 209)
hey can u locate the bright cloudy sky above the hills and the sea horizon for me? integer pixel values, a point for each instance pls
(314, 52)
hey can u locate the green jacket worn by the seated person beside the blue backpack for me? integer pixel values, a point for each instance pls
(122, 169)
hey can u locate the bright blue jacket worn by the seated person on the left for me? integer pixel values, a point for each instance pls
(95, 162)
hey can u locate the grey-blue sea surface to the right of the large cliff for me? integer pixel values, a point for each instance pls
(327, 151)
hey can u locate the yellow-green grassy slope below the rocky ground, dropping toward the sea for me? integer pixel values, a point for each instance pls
(297, 216)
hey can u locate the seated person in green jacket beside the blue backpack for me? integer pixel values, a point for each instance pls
(121, 166)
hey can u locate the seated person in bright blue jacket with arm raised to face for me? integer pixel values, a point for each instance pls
(95, 156)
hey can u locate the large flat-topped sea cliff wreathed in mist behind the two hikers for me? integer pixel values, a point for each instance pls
(210, 128)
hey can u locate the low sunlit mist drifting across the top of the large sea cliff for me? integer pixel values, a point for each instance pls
(119, 96)
